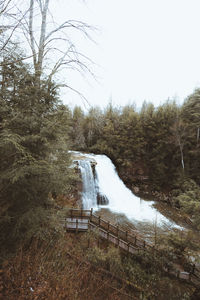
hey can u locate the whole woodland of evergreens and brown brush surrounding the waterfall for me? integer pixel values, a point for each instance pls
(155, 151)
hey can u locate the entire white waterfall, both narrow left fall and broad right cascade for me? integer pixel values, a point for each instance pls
(102, 188)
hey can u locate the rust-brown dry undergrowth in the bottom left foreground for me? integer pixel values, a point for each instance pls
(47, 271)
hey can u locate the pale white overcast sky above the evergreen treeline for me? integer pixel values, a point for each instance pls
(146, 49)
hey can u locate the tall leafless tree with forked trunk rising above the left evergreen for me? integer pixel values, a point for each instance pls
(43, 44)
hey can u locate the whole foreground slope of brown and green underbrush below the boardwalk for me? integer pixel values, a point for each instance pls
(79, 266)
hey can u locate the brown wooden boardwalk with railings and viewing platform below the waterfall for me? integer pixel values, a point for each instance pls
(79, 220)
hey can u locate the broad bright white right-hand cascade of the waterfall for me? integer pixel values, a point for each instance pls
(121, 199)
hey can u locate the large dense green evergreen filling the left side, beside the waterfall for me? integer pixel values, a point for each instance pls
(33, 153)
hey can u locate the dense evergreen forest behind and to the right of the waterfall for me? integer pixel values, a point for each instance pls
(154, 149)
